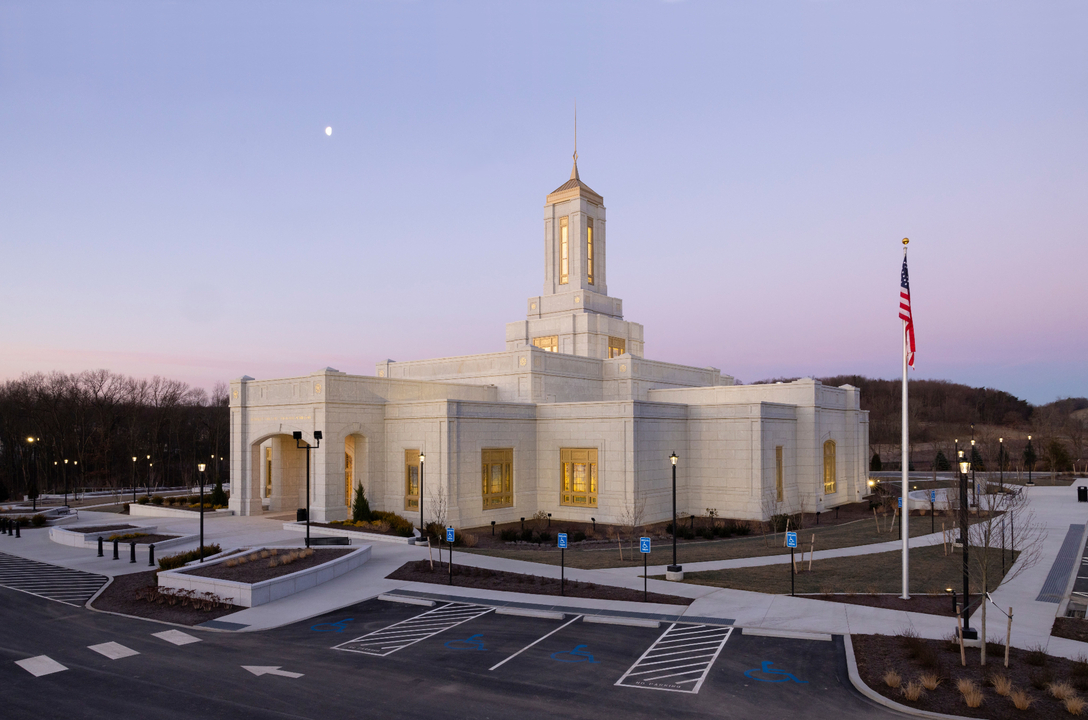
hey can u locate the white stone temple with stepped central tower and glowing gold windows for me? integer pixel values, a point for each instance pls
(571, 419)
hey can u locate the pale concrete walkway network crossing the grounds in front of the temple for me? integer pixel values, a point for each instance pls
(1056, 508)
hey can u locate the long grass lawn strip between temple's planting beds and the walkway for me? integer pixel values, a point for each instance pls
(861, 532)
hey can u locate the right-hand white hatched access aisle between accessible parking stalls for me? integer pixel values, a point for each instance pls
(679, 661)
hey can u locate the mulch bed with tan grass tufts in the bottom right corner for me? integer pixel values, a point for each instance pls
(1030, 671)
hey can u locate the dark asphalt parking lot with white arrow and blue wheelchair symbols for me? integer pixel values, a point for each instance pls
(392, 661)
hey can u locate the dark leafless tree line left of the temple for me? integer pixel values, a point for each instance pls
(98, 421)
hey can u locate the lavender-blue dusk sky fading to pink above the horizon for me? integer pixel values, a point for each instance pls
(171, 205)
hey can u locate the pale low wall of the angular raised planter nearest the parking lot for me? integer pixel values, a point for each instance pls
(251, 595)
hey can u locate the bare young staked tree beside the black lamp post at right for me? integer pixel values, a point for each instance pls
(999, 514)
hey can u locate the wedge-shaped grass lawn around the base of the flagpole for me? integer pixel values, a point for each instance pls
(932, 572)
